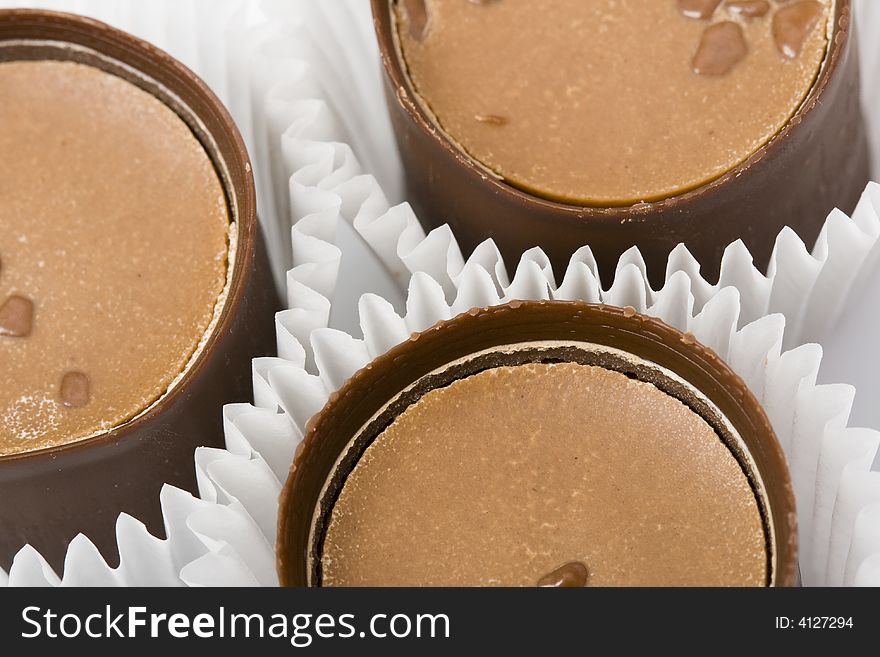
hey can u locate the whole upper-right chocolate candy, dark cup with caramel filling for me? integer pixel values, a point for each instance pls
(601, 146)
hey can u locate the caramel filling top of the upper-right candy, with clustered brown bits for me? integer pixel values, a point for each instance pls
(612, 102)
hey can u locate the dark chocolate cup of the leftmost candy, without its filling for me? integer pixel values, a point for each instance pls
(49, 496)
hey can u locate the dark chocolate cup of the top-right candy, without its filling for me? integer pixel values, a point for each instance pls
(819, 161)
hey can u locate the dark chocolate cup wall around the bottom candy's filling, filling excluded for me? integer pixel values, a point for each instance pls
(338, 435)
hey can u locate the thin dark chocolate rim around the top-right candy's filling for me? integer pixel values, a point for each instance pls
(412, 103)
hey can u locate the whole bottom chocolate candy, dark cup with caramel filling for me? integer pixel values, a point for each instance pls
(494, 485)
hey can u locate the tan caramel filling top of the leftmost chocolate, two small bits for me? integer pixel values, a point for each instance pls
(114, 248)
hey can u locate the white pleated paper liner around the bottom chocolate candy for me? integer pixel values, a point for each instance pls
(228, 536)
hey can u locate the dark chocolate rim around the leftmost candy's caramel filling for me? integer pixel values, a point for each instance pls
(240, 198)
